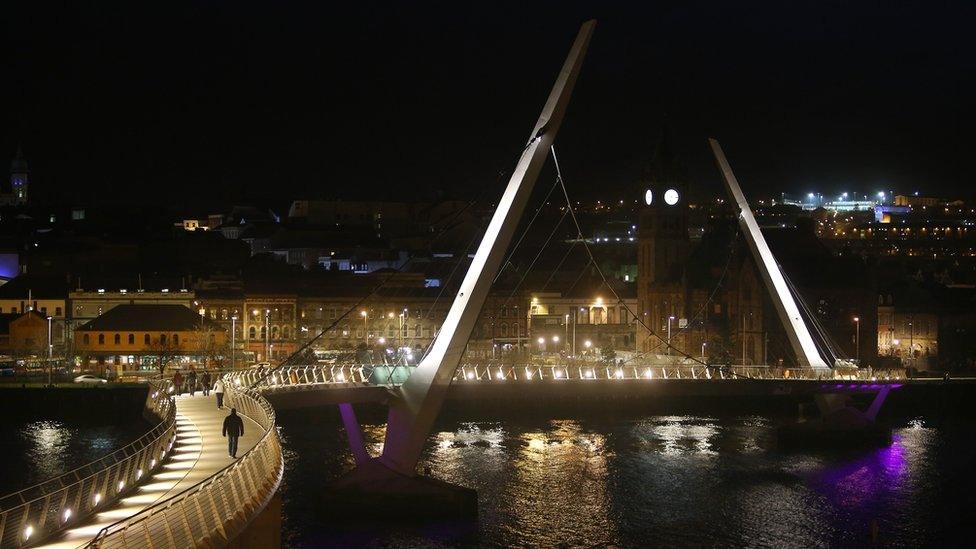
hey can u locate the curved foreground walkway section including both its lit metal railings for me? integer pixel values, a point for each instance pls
(176, 486)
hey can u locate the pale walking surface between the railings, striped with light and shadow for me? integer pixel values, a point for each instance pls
(200, 451)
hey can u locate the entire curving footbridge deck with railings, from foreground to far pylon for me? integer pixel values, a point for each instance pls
(176, 486)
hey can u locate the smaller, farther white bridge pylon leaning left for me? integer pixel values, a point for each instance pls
(796, 329)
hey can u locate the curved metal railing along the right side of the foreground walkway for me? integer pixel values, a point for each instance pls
(214, 511)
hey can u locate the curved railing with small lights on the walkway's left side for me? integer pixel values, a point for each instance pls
(32, 514)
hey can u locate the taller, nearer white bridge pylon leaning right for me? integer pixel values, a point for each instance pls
(413, 412)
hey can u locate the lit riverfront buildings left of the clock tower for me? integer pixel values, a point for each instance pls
(135, 326)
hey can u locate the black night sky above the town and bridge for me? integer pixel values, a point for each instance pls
(209, 102)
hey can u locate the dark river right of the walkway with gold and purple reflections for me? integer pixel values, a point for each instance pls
(656, 480)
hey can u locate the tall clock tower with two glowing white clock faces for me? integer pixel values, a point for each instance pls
(662, 243)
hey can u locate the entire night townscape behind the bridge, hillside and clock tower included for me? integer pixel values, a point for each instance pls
(378, 277)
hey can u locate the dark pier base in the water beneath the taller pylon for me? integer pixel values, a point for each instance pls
(374, 490)
